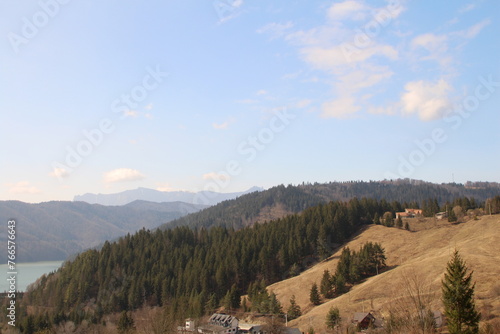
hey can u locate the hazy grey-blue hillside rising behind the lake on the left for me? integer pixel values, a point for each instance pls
(55, 230)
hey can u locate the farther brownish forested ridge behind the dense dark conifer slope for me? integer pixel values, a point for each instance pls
(279, 201)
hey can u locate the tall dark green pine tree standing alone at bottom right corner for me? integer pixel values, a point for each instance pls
(458, 298)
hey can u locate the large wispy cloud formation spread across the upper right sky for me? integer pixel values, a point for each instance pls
(355, 57)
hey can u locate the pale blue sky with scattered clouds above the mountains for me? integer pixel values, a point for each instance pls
(105, 96)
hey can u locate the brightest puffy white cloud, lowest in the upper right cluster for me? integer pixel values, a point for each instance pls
(426, 99)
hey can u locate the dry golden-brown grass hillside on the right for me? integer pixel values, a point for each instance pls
(419, 257)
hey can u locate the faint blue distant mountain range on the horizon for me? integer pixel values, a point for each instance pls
(151, 195)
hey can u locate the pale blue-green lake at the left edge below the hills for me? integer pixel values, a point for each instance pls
(27, 273)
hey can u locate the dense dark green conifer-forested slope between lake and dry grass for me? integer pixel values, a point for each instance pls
(194, 271)
